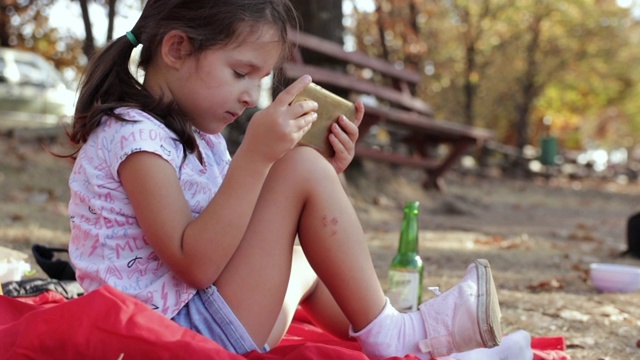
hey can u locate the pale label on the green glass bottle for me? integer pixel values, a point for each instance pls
(403, 289)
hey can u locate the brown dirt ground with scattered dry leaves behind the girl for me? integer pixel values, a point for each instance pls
(540, 237)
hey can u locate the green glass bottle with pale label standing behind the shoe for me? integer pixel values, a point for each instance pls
(407, 270)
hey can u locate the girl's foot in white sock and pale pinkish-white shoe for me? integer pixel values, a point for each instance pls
(465, 317)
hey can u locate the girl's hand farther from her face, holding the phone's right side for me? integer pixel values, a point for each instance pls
(343, 137)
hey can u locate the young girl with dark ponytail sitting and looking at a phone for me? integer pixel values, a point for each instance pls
(160, 211)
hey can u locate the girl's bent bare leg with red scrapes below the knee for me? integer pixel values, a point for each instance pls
(302, 195)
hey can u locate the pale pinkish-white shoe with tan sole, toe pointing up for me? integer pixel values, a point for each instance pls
(465, 317)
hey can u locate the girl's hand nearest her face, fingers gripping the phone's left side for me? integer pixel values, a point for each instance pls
(277, 128)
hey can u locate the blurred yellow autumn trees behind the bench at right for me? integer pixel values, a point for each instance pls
(509, 64)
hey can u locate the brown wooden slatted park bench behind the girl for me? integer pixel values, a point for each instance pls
(395, 106)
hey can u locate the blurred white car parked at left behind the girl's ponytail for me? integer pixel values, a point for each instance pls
(33, 93)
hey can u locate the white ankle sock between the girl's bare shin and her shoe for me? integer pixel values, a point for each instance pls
(393, 333)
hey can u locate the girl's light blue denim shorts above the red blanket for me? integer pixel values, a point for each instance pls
(208, 314)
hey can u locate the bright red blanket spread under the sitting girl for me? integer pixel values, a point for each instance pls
(106, 324)
